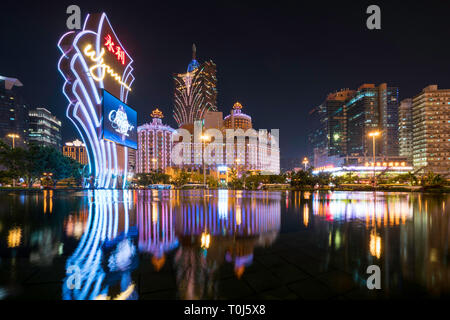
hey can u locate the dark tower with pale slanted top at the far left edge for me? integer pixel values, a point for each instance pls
(13, 113)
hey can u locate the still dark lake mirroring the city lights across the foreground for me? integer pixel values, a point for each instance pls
(220, 244)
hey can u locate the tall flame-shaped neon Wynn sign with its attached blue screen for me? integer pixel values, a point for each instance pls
(98, 76)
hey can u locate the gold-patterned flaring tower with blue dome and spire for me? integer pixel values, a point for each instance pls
(195, 92)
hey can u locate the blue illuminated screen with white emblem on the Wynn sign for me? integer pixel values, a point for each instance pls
(119, 121)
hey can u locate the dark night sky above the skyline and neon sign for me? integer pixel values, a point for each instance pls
(278, 58)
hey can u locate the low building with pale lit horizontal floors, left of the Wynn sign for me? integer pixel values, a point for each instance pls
(44, 129)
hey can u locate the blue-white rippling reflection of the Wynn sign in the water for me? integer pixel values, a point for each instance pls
(101, 266)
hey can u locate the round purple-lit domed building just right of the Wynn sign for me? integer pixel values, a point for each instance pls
(154, 145)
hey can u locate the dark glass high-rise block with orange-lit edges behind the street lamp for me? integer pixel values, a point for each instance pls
(345, 119)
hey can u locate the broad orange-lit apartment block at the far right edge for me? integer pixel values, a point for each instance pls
(431, 130)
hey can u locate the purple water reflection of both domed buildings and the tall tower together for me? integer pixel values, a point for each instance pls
(205, 229)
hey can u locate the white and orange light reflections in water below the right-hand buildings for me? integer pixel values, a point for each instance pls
(401, 232)
